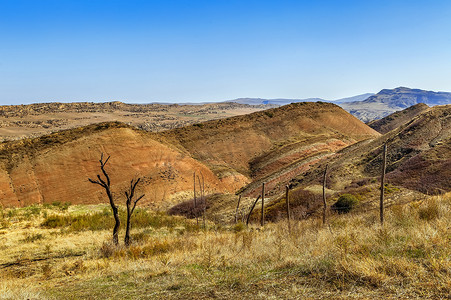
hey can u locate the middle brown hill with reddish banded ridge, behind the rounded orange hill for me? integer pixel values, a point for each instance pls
(273, 145)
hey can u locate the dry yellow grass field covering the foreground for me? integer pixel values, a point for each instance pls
(353, 257)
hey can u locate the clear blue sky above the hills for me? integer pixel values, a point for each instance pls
(179, 51)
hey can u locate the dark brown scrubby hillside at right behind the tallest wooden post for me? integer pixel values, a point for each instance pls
(418, 158)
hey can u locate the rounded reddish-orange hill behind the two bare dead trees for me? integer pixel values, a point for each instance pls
(56, 167)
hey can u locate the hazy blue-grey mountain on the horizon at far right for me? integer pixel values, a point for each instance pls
(388, 101)
